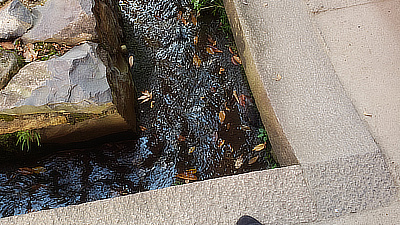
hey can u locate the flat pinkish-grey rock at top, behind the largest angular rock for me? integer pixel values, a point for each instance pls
(63, 21)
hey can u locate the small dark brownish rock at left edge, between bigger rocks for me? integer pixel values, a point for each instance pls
(8, 67)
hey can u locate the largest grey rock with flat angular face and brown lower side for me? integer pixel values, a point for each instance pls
(63, 96)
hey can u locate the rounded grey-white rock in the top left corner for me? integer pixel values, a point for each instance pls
(15, 20)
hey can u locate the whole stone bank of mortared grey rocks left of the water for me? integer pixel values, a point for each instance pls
(87, 92)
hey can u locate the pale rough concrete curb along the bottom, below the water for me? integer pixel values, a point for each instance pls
(278, 196)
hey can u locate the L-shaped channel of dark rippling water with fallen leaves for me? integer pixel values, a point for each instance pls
(200, 122)
